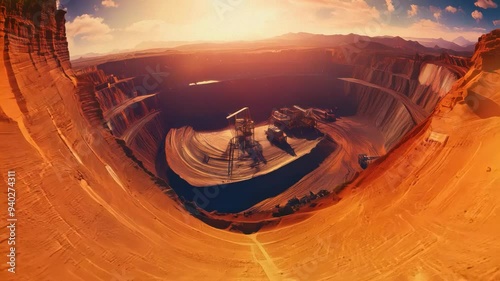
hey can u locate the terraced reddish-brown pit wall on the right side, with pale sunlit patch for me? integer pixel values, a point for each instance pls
(424, 82)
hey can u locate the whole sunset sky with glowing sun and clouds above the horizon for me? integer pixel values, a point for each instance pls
(102, 26)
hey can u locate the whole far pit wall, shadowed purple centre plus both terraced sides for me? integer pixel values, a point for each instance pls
(264, 81)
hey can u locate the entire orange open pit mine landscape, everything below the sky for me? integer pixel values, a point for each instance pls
(367, 159)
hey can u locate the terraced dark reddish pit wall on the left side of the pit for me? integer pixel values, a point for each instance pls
(126, 109)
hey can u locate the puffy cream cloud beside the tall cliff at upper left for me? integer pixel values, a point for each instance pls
(89, 28)
